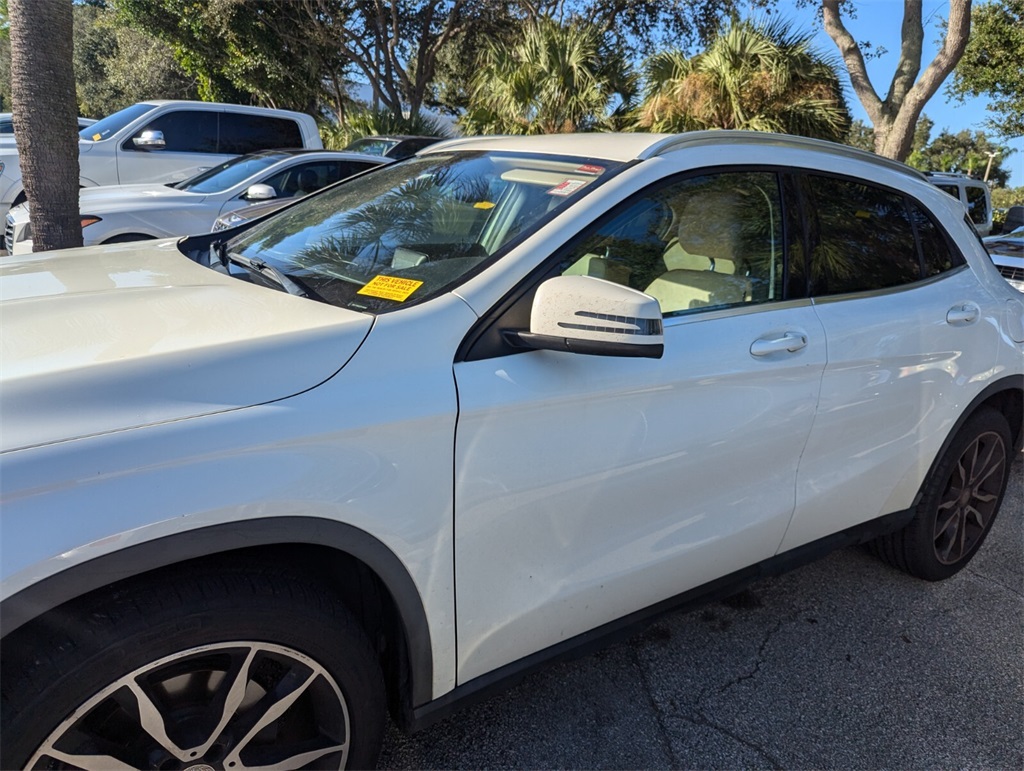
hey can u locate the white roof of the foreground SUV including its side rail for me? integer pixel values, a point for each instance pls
(631, 147)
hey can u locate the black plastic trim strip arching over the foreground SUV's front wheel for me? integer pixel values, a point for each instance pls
(79, 580)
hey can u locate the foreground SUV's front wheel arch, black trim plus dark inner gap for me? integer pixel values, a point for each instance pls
(355, 564)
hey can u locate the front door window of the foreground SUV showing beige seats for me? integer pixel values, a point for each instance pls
(705, 243)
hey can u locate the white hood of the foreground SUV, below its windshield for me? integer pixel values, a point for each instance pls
(109, 338)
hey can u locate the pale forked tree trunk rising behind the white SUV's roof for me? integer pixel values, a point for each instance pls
(895, 117)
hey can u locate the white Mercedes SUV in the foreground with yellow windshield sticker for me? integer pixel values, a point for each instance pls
(417, 435)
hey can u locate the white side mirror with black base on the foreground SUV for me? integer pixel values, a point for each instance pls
(584, 315)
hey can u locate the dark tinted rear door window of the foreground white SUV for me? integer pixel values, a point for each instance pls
(861, 238)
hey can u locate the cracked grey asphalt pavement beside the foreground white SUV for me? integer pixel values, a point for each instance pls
(843, 664)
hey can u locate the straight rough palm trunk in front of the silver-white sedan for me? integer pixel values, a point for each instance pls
(46, 111)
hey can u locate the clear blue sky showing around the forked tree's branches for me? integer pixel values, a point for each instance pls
(879, 22)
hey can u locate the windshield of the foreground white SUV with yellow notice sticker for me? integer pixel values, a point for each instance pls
(411, 231)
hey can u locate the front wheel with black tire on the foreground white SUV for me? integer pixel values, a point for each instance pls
(78, 682)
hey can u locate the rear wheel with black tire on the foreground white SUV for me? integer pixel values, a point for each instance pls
(959, 502)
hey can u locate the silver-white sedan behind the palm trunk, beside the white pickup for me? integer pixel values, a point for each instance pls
(119, 213)
